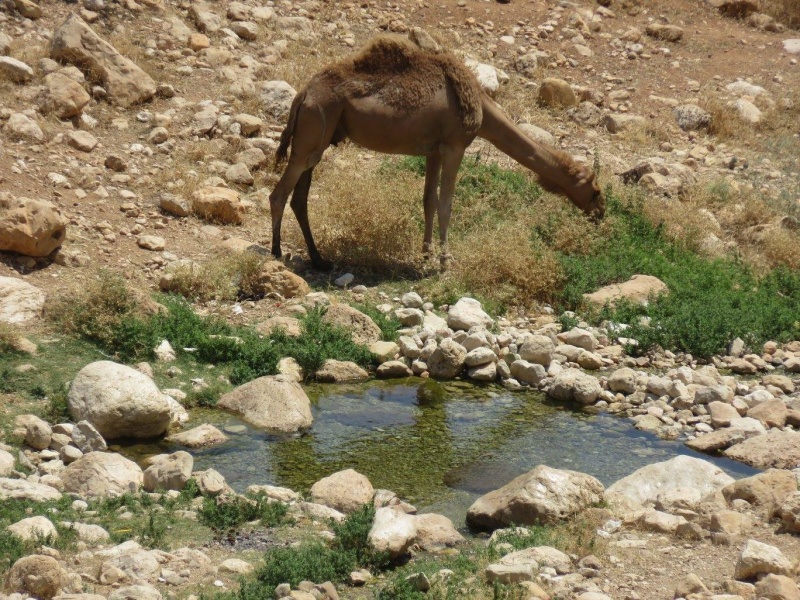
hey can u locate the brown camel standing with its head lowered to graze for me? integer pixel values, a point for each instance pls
(396, 98)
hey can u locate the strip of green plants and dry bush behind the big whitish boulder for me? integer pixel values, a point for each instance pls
(118, 325)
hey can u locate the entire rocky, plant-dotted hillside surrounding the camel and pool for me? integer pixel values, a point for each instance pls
(136, 147)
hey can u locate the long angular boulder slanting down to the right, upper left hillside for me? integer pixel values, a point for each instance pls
(76, 43)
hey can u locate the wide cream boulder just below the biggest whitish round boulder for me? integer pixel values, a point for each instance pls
(102, 474)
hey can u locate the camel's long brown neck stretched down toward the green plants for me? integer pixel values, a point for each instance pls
(539, 158)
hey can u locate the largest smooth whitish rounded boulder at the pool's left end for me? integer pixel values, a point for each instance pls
(118, 401)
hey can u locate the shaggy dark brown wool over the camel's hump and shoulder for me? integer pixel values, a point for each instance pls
(405, 77)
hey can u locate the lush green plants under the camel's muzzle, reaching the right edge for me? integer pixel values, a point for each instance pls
(710, 301)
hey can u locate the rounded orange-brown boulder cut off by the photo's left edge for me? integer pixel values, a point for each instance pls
(30, 227)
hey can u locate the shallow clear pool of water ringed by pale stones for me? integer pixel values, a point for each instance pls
(437, 445)
